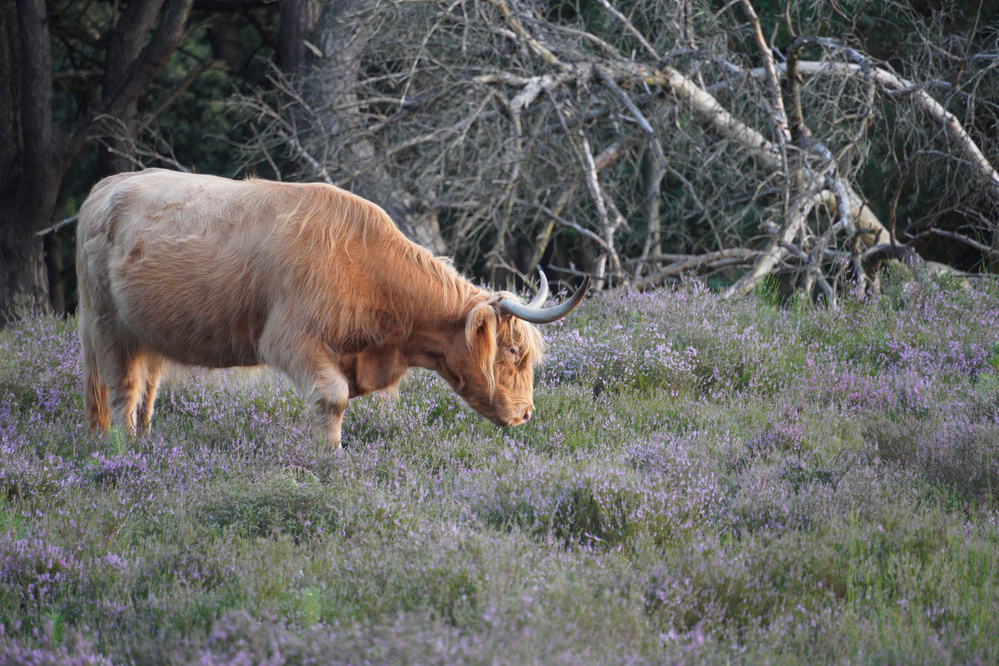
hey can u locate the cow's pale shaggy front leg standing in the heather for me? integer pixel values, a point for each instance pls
(313, 369)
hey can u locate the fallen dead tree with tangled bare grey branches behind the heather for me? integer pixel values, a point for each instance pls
(618, 143)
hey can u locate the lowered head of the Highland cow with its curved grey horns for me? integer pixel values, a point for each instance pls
(492, 368)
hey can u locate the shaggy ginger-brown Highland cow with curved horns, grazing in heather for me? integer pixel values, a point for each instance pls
(306, 278)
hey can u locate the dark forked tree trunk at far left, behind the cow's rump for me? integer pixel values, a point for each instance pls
(34, 152)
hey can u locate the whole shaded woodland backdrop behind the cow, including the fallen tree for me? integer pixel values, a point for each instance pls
(787, 146)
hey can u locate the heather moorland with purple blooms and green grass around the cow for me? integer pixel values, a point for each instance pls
(704, 481)
